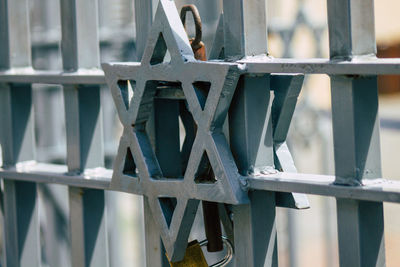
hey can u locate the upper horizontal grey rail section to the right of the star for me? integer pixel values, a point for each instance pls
(357, 66)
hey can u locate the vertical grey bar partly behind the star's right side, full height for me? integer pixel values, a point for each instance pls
(245, 33)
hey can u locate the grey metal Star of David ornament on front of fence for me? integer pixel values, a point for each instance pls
(174, 201)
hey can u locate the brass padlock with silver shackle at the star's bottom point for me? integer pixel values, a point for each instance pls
(194, 256)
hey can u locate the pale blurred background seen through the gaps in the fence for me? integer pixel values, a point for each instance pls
(297, 28)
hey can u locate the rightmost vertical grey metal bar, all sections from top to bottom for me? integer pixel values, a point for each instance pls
(356, 133)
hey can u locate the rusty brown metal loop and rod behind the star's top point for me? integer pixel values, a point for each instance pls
(198, 47)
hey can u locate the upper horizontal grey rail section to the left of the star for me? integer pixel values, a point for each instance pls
(29, 75)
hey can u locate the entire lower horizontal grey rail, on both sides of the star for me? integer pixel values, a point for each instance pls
(380, 190)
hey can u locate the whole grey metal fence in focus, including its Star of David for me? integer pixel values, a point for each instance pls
(236, 109)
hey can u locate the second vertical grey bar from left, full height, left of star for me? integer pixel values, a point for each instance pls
(80, 49)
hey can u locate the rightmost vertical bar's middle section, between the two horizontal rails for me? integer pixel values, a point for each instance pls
(356, 135)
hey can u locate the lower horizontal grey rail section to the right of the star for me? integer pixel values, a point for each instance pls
(380, 190)
